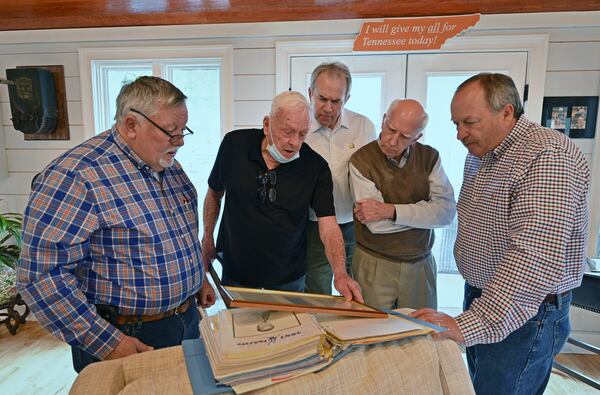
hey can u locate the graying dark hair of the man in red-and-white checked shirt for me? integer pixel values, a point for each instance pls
(499, 90)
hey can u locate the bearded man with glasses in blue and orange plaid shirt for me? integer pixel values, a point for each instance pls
(111, 260)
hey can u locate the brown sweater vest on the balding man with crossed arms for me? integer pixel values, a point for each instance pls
(405, 185)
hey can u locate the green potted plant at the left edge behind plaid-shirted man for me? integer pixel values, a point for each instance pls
(10, 250)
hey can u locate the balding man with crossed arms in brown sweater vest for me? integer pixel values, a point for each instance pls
(401, 193)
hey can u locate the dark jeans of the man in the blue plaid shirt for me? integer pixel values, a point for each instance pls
(163, 333)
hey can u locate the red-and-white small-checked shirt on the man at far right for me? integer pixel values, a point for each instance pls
(522, 228)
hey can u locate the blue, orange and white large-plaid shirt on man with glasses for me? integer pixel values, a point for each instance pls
(100, 229)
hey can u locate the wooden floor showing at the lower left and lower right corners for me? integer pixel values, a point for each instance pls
(34, 362)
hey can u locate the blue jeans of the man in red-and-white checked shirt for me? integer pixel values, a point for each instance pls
(522, 362)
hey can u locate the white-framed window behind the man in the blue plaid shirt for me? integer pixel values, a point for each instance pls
(203, 74)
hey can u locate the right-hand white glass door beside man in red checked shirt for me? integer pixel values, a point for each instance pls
(432, 79)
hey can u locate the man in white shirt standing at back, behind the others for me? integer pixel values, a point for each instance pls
(335, 133)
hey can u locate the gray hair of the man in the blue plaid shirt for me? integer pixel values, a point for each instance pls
(146, 94)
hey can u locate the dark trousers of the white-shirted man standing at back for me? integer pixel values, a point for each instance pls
(318, 270)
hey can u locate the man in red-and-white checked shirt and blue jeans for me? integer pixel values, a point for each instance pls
(523, 216)
